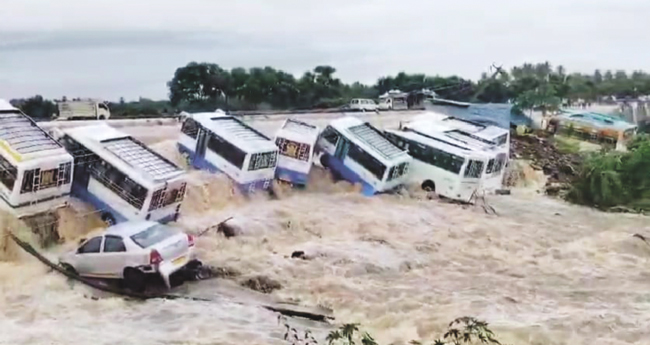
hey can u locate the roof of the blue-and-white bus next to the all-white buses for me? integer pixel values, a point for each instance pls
(368, 136)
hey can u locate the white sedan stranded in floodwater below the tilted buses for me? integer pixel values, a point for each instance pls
(132, 251)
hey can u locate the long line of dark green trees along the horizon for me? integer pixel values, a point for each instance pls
(207, 86)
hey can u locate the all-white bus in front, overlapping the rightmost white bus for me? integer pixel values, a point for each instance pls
(444, 166)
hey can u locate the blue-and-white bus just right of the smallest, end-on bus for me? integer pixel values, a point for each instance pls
(359, 153)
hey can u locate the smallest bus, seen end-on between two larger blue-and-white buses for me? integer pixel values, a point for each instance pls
(295, 141)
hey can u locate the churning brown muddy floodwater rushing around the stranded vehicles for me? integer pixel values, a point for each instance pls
(540, 271)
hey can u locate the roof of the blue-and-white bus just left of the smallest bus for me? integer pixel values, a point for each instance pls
(236, 131)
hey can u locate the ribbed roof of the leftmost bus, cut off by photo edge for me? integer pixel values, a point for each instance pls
(22, 134)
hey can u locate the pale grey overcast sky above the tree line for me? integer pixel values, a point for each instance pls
(108, 49)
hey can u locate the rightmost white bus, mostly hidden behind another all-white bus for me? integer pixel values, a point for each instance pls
(492, 139)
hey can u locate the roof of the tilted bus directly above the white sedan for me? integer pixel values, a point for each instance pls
(124, 152)
